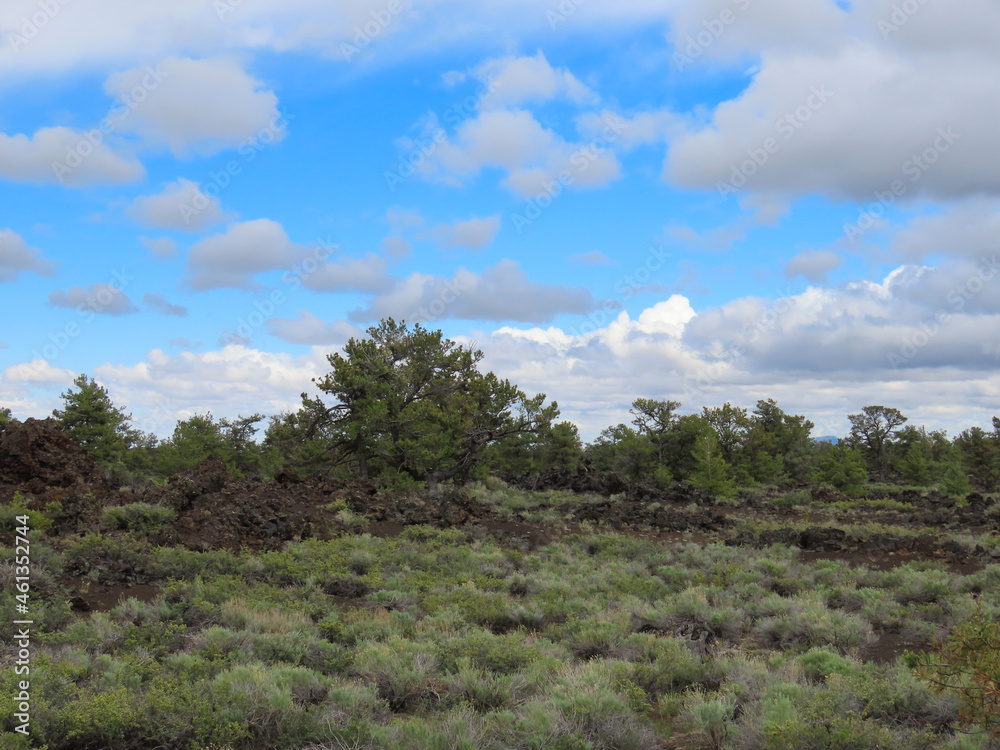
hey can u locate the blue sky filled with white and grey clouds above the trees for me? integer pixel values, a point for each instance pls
(708, 202)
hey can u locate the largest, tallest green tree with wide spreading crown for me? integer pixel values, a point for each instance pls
(410, 402)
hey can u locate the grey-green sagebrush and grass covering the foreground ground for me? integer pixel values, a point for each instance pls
(440, 639)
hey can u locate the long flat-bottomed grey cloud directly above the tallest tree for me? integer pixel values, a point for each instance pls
(502, 292)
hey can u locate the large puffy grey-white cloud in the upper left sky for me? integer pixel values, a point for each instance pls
(197, 106)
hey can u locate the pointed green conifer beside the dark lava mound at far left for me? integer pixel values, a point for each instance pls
(92, 420)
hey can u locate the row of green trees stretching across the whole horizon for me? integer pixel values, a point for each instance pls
(408, 408)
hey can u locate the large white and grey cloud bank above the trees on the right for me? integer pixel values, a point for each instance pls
(908, 341)
